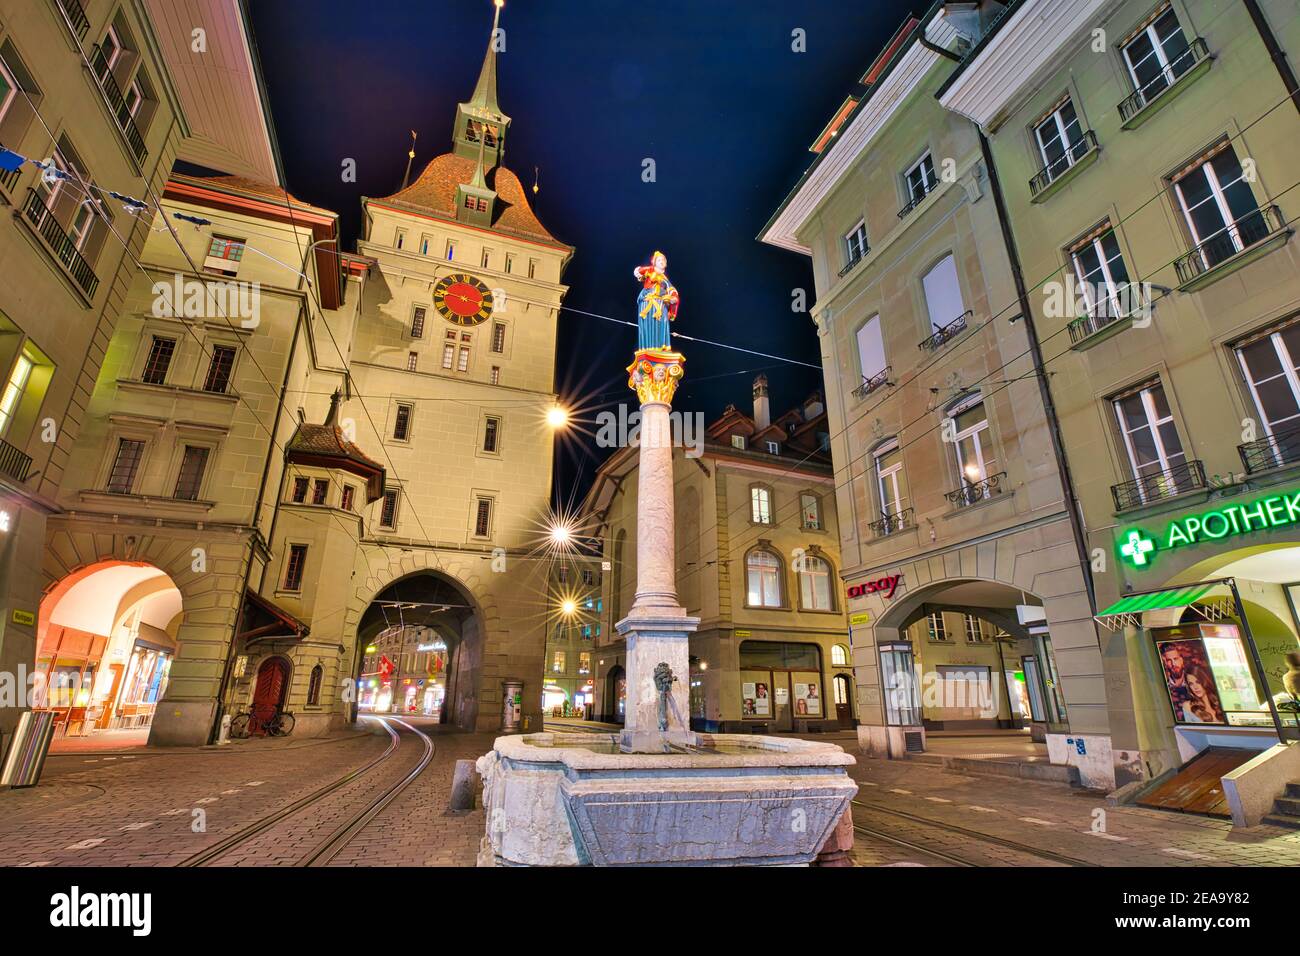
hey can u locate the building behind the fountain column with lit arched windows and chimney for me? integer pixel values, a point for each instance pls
(759, 563)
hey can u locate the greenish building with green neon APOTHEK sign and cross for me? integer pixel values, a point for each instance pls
(1147, 159)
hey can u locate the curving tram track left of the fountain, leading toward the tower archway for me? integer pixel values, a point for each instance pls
(343, 836)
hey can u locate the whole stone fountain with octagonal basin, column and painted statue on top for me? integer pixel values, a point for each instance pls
(658, 794)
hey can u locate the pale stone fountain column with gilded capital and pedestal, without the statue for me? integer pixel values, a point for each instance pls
(657, 629)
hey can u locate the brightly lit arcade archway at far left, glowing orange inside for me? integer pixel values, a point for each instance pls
(106, 641)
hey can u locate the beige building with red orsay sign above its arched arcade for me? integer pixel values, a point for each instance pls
(965, 573)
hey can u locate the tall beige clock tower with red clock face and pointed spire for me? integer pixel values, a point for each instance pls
(454, 341)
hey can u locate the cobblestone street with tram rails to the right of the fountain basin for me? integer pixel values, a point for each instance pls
(973, 814)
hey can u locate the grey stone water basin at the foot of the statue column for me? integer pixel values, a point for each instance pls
(577, 799)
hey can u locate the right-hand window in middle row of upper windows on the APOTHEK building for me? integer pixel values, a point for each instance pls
(1220, 207)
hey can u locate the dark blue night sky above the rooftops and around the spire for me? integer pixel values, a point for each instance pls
(712, 92)
